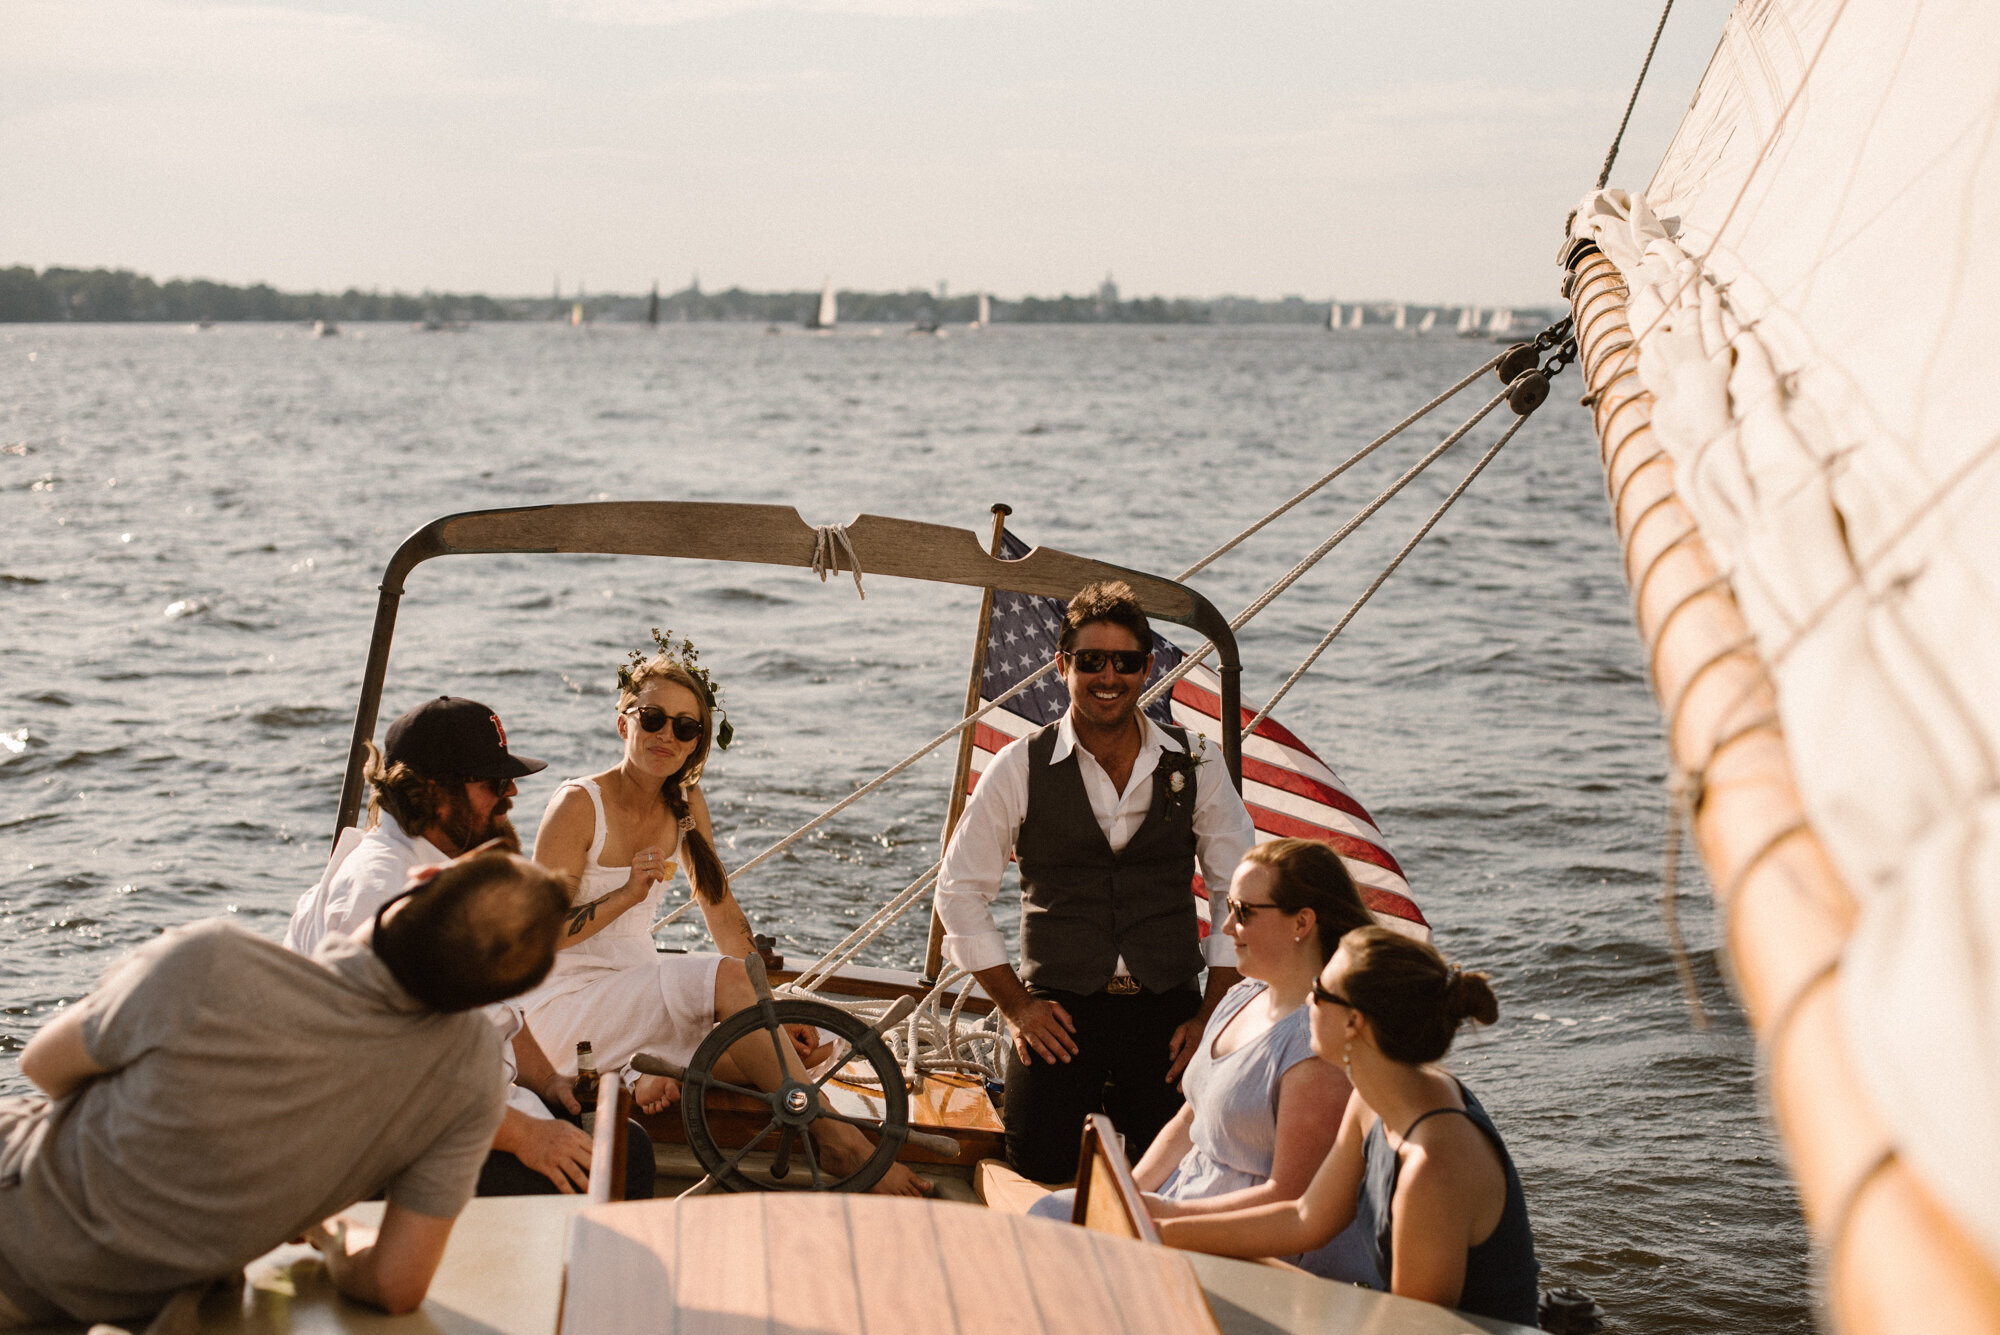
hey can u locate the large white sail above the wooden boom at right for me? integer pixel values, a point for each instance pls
(1811, 277)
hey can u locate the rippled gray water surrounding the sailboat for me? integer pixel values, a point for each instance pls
(195, 527)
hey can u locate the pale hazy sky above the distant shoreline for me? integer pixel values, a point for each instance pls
(1421, 151)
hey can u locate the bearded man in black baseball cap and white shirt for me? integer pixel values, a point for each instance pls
(443, 786)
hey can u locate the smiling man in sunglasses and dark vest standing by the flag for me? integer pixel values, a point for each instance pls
(1109, 816)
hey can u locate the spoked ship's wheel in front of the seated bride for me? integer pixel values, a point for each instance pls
(795, 1106)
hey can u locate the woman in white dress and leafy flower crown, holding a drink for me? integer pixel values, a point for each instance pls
(617, 838)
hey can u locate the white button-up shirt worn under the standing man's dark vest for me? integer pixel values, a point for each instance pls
(985, 840)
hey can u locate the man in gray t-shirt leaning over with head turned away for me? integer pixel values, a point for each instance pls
(221, 1094)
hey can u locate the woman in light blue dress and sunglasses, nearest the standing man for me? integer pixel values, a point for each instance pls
(1263, 1112)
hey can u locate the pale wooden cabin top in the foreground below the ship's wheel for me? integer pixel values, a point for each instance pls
(503, 1274)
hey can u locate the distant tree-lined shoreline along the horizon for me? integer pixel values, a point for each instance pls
(121, 297)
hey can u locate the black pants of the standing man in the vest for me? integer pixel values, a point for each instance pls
(1119, 1070)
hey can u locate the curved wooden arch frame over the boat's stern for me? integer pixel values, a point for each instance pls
(769, 537)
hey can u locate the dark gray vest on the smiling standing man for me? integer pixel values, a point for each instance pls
(1083, 904)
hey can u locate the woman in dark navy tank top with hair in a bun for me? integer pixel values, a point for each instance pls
(1419, 1162)
